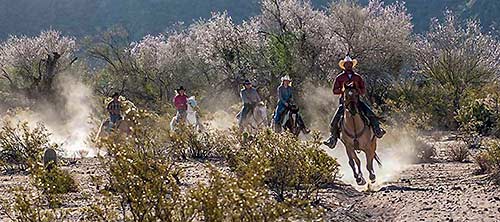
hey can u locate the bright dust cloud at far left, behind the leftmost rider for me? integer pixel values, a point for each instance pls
(68, 122)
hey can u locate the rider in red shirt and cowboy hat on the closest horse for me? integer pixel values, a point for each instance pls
(346, 77)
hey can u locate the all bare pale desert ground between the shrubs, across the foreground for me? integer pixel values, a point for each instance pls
(435, 190)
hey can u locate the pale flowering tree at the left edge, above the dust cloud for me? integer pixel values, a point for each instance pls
(29, 65)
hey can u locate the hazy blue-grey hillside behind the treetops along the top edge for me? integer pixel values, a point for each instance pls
(87, 17)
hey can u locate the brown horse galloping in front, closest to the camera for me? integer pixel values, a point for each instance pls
(357, 135)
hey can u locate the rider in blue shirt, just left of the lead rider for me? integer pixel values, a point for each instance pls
(285, 98)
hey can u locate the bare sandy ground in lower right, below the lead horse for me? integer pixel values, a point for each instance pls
(439, 191)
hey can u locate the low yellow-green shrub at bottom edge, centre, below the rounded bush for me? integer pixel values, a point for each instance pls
(228, 198)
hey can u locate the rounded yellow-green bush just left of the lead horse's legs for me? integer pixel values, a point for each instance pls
(291, 168)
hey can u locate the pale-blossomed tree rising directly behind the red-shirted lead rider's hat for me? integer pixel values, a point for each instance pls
(378, 36)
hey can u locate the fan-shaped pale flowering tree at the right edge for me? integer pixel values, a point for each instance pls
(458, 58)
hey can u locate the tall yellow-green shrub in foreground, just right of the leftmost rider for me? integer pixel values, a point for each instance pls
(141, 175)
